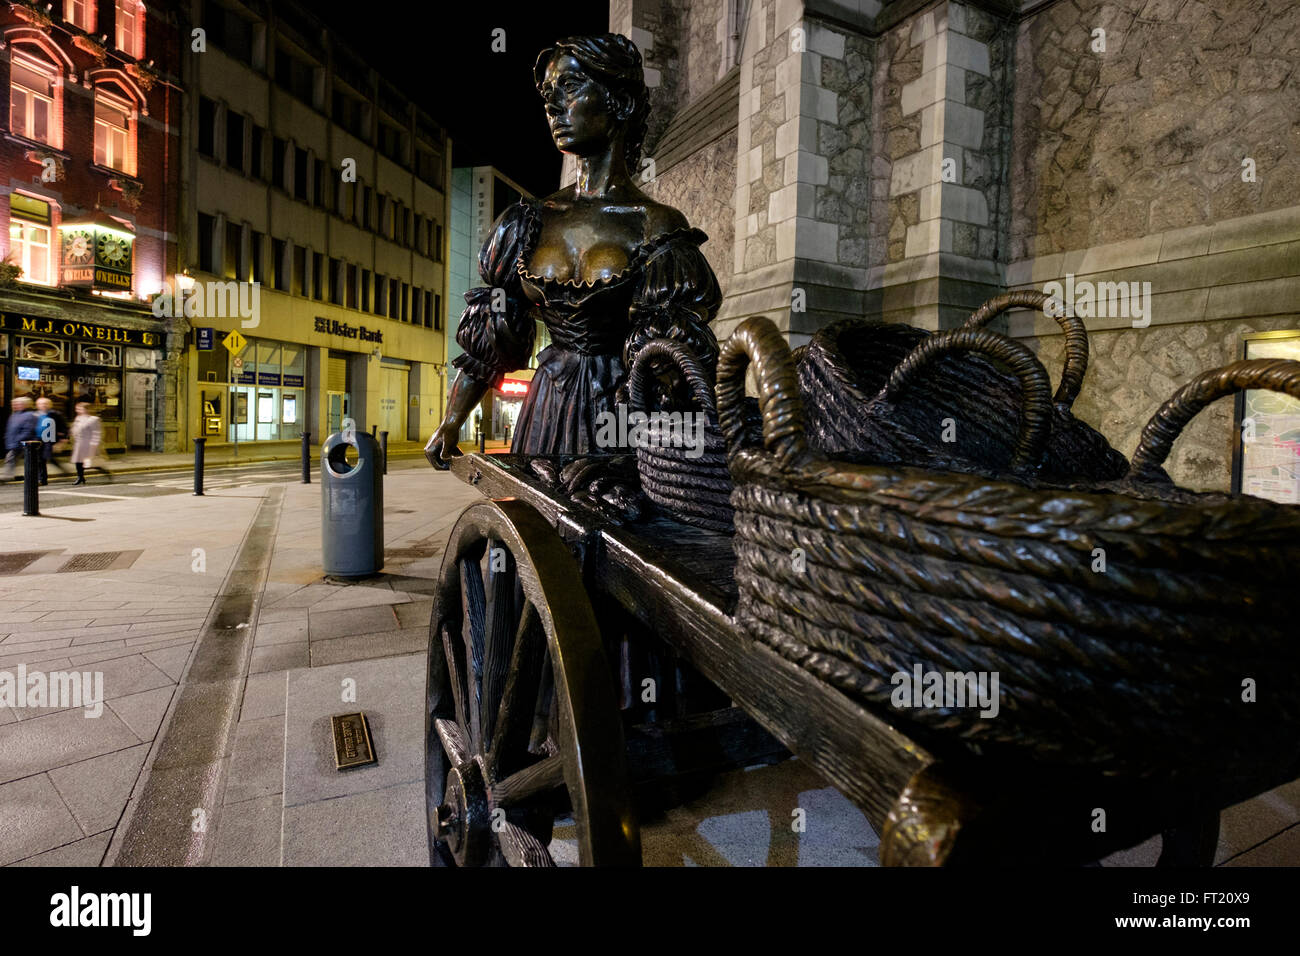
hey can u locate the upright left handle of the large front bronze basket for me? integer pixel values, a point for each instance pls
(759, 341)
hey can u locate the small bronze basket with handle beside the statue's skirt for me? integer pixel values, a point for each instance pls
(695, 490)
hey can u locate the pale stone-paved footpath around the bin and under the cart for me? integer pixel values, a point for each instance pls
(223, 654)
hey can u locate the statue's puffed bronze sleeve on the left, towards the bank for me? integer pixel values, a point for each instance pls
(497, 327)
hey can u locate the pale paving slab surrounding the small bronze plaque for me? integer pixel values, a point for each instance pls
(391, 691)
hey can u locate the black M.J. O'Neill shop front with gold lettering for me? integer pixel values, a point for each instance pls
(112, 369)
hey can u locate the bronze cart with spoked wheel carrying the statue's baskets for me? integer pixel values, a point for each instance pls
(588, 669)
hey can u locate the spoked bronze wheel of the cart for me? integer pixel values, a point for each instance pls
(522, 711)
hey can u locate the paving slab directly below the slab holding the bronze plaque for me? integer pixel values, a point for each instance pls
(327, 833)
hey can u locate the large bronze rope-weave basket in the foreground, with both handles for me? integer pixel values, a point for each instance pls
(1134, 667)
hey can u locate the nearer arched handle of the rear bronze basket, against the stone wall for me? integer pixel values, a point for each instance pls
(1035, 386)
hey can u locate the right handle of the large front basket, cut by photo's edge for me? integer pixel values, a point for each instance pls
(1169, 421)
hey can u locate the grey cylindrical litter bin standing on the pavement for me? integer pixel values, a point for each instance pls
(352, 508)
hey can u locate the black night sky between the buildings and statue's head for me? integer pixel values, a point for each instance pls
(486, 101)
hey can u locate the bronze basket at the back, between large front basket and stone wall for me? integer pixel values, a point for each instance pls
(850, 362)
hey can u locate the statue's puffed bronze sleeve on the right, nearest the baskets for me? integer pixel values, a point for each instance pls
(678, 299)
